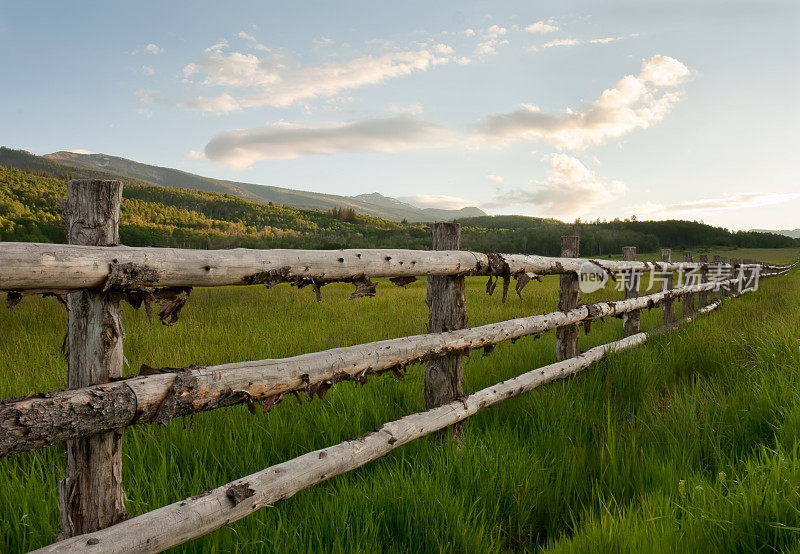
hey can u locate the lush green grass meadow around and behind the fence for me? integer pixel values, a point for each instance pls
(689, 443)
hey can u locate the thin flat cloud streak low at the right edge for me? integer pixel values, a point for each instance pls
(732, 201)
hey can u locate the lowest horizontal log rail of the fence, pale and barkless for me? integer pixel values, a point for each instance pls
(181, 521)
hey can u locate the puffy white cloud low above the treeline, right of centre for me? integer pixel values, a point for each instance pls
(571, 189)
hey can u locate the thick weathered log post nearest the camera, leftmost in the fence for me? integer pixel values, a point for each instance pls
(91, 495)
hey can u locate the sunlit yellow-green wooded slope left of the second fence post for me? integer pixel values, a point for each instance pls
(167, 216)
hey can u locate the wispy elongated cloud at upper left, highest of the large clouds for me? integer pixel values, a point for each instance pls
(280, 83)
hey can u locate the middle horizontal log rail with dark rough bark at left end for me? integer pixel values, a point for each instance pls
(42, 420)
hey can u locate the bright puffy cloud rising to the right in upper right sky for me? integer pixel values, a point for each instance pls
(635, 102)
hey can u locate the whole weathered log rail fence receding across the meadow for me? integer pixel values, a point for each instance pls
(92, 274)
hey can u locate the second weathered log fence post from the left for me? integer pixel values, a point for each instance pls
(447, 311)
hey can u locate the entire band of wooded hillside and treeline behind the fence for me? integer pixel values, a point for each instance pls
(166, 216)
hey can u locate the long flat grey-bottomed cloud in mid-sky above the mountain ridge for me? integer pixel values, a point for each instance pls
(238, 149)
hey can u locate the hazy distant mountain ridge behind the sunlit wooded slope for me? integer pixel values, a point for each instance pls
(103, 166)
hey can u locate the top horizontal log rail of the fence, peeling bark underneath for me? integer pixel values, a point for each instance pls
(64, 267)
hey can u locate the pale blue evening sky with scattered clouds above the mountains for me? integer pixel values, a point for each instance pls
(658, 109)
